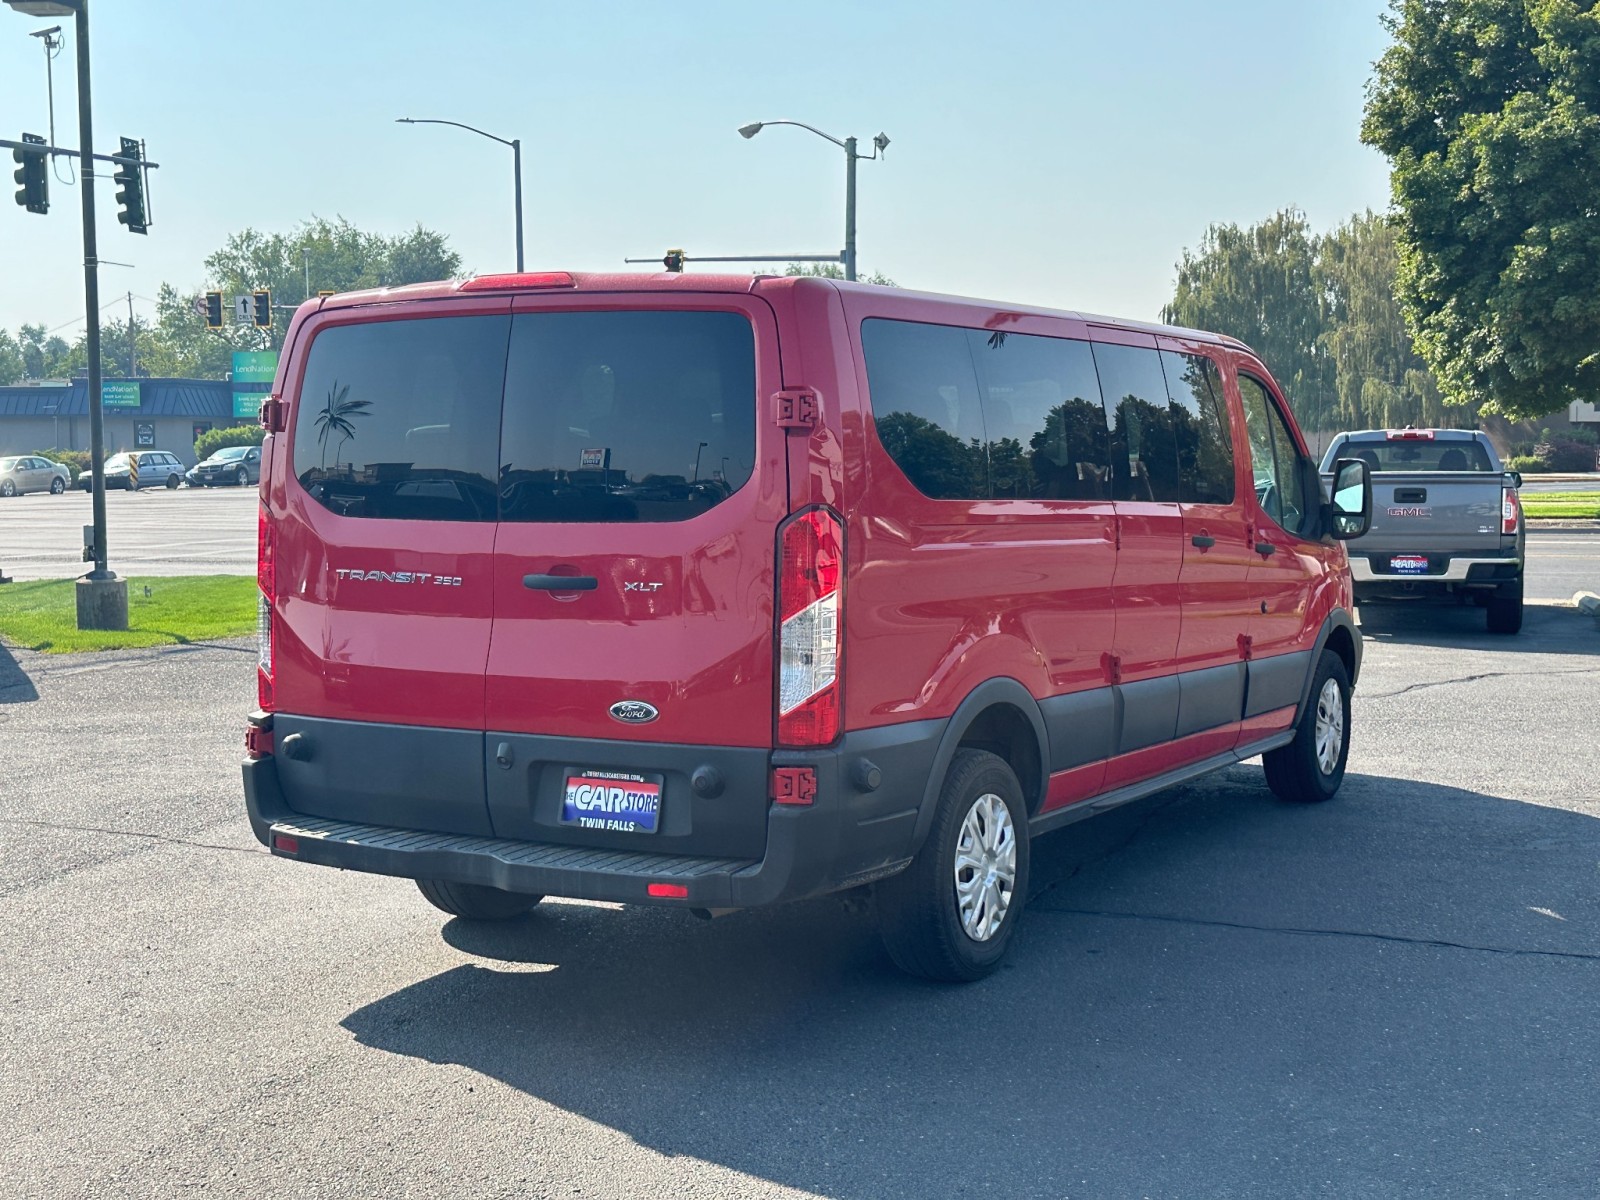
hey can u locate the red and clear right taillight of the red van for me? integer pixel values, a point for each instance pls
(810, 614)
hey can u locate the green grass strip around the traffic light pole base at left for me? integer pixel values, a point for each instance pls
(162, 612)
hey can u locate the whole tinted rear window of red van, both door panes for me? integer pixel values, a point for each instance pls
(548, 417)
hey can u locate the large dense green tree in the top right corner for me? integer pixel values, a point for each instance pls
(1490, 116)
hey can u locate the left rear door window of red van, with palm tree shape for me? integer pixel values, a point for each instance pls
(402, 418)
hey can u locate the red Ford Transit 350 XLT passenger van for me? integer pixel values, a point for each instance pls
(726, 591)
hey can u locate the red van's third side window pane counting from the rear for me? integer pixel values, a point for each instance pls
(1145, 444)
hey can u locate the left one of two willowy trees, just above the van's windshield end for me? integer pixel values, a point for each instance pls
(1260, 286)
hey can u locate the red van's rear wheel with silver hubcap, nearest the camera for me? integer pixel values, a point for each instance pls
(921, 916)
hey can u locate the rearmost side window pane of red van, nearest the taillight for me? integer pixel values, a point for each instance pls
(924, 399)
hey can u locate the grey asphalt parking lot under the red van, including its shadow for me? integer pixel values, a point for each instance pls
(1215, 994)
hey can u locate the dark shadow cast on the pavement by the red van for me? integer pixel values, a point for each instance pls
(1215, 994)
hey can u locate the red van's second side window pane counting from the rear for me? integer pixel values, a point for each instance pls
(1044, 417)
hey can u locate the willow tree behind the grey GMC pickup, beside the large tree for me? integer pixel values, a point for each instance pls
(1380, 378)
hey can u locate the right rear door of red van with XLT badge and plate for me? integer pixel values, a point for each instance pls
(642, 482)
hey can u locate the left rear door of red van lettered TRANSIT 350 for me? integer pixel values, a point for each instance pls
(385, 530)
